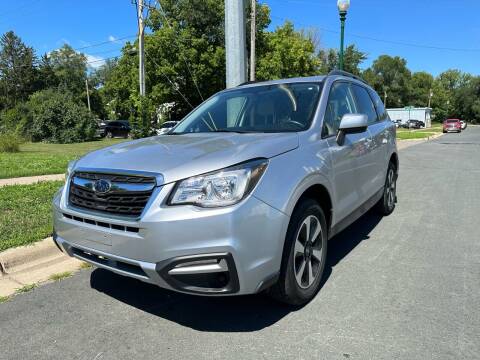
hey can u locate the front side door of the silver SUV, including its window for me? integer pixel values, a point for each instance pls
(349, 159)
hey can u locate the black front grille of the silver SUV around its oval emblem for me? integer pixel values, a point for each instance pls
(127, 196)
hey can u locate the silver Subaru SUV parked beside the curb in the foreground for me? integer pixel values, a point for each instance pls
(242, 195)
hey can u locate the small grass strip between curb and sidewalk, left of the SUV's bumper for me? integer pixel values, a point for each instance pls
(26, 213)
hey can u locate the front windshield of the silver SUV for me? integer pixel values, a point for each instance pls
(268, 108)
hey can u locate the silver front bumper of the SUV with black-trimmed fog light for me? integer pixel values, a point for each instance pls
(238, 249)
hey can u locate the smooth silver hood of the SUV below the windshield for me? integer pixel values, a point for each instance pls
(177, 157)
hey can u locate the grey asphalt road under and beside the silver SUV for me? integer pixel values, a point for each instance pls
(402, 287)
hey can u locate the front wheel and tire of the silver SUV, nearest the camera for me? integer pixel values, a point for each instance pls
(295, 285)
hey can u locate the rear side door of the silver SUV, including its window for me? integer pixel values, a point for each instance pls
(373, 176)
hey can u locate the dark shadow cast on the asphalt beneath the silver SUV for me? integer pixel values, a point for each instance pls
(221, 314)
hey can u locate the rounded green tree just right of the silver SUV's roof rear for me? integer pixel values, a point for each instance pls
(391, 75)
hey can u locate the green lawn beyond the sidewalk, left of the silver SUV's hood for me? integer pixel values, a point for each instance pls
(44, 159)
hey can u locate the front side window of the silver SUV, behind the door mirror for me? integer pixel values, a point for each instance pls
(340, 102)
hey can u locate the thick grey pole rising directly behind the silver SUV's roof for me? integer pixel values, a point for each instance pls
(235, 42)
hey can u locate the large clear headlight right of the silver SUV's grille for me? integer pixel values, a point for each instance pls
(220, 188)
